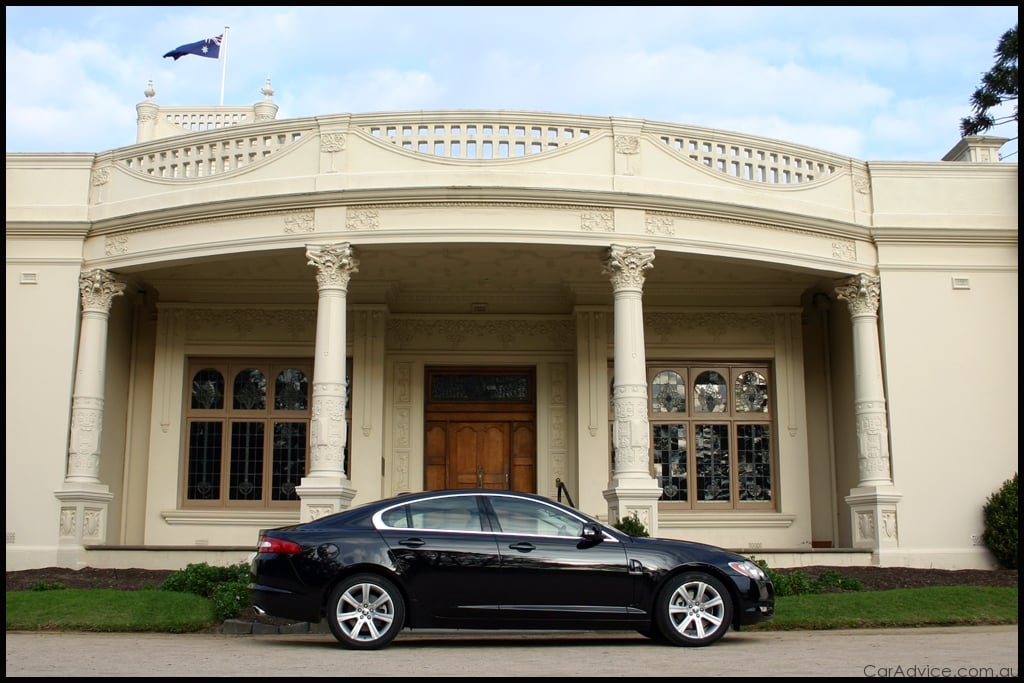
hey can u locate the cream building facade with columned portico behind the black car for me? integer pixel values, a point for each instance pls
(240, 322)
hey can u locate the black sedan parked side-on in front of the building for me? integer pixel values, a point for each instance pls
(493, 560)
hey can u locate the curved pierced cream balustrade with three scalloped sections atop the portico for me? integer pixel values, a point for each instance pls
(226, 146)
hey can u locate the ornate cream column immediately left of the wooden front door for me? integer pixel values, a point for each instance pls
(326, 489)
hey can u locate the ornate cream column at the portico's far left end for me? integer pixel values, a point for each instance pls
(84, 499)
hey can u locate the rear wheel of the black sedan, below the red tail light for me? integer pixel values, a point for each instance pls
(366, 613)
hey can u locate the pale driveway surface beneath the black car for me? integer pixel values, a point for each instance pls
(950, 652)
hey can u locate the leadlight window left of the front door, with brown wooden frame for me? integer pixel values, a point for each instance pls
(248, 433)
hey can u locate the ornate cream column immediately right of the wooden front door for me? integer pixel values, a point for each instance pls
(633, 490)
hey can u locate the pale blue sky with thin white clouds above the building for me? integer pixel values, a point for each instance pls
(873, 83)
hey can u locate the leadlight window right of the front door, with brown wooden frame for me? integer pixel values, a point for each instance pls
(712, 436)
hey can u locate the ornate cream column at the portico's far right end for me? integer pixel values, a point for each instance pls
(874, 502)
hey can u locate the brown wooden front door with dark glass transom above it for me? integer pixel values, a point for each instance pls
(481, 430)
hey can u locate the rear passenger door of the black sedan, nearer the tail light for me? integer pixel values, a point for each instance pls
(445, 559)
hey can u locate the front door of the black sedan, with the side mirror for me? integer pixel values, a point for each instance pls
(550, 573)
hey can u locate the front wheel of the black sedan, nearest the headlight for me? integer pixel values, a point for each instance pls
(695, 610)
